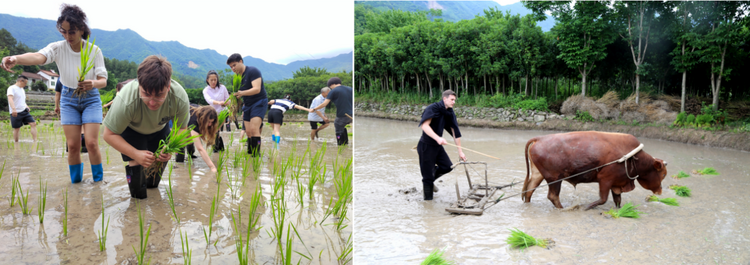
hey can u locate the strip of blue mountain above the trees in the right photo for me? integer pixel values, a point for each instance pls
(457, 10)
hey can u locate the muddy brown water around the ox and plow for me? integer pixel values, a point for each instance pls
(712, 226)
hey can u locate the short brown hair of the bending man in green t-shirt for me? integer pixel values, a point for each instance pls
(154, 73)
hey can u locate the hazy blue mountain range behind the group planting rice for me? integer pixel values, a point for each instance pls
(125, 44)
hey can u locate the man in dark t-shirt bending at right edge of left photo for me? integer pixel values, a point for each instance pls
(343, 98)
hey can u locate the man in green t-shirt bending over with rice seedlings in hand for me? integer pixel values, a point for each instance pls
(138, 120)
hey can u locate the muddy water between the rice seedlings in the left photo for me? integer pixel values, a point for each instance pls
(26, 241)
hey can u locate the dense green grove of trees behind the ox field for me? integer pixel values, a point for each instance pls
(594, 47)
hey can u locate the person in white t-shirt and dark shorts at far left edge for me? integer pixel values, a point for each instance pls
(19, 111)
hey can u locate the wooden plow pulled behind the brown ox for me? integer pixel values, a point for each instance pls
(479, 196)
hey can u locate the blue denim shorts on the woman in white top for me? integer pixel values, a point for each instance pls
(76, 110)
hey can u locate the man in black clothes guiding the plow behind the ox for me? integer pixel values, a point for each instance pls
(433, 160)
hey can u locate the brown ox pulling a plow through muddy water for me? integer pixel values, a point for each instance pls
(557, 156)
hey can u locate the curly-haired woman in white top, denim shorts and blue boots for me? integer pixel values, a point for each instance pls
(76, 111)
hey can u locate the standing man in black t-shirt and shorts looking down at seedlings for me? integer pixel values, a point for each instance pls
(253, 95)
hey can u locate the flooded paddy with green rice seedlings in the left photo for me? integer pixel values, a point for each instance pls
(293, 210)
